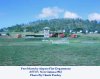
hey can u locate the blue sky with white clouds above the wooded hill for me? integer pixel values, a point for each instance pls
(14, 12)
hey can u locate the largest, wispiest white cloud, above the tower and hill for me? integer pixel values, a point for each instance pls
(50, 12)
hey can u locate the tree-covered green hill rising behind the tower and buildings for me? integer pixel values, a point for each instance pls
(55, 25)
